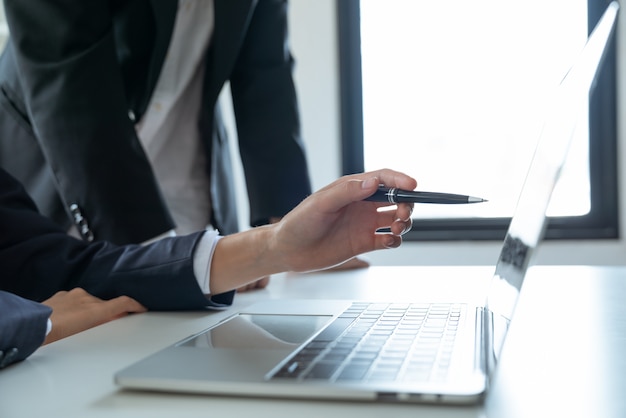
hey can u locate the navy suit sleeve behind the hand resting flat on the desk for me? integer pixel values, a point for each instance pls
(22, 327)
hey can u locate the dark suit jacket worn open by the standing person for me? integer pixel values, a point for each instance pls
(76, 76)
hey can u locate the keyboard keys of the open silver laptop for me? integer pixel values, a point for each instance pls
(380, 342)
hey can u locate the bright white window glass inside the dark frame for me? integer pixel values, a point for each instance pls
(454, 94)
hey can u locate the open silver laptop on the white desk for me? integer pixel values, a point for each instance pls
(396, 352)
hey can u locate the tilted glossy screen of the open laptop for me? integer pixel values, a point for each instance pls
(529, 220)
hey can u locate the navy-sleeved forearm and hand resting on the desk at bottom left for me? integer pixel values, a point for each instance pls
(26, 325)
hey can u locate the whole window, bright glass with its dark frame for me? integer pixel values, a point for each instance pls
(461, 86)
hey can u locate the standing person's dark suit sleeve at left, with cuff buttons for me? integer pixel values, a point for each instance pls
(66, 54)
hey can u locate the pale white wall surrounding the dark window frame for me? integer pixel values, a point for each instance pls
(313, 34)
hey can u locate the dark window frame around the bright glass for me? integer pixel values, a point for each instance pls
(602, 221)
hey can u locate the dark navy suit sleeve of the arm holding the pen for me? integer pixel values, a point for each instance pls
(38, 259)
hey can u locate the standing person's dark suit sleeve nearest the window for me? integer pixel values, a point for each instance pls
(266, 111)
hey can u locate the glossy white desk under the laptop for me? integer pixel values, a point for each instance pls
(565, 356)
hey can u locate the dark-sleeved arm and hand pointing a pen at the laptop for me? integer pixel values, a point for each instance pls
(200, 270)
